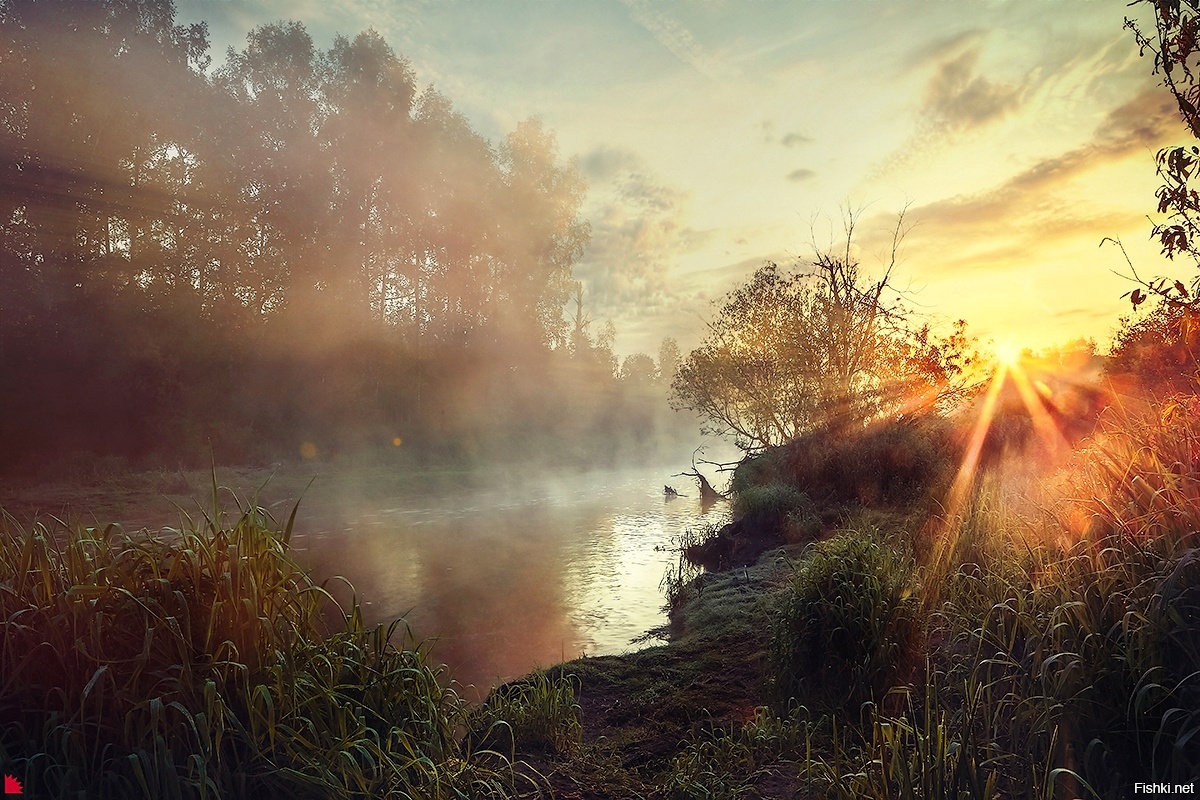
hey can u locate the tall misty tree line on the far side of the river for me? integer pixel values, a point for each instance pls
(298, 246)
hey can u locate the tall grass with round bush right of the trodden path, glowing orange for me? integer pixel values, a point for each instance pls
(1061, 660)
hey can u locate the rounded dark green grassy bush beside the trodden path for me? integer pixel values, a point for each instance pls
(844, 625)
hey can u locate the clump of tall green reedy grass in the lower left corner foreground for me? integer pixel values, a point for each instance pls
(201, 666)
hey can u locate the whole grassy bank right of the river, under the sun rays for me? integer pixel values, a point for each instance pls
(1042, 640)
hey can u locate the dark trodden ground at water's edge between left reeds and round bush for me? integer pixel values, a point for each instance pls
(646, 714)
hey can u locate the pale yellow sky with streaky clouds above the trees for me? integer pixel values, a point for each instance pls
(718, 135)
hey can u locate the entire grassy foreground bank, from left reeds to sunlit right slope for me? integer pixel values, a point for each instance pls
(1039, 637)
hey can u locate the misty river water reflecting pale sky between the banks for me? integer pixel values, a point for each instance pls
(512, 579)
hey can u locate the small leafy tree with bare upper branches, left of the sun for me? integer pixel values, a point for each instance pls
(820, 347)
